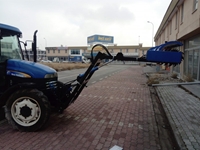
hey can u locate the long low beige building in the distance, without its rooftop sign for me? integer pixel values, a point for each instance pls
(70, 53)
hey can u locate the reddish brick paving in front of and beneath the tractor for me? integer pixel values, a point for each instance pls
(114, 111)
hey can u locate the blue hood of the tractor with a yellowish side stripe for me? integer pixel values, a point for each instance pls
(29, 69)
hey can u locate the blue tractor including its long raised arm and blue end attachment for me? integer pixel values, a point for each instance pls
(29, 90)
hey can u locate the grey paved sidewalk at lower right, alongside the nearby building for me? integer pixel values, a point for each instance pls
(183, 112)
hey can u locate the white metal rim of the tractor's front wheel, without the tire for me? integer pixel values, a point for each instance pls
(26, 111)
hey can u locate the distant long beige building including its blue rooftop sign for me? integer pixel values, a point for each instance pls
(78, 53)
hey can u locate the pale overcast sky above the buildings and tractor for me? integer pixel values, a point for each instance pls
(70, 22)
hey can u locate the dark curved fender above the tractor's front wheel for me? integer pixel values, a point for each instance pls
(9, 91)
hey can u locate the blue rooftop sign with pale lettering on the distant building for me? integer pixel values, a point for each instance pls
(100, 39)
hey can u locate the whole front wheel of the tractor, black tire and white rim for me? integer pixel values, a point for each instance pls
(27, 110)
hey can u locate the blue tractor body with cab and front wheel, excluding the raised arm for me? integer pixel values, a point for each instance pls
(24, 85)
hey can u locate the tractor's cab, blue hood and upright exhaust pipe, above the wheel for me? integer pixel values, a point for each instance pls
(13, 68)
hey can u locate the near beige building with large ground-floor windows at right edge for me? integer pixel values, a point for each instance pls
(182, 22)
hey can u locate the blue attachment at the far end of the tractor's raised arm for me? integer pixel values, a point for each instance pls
(165, 53)
